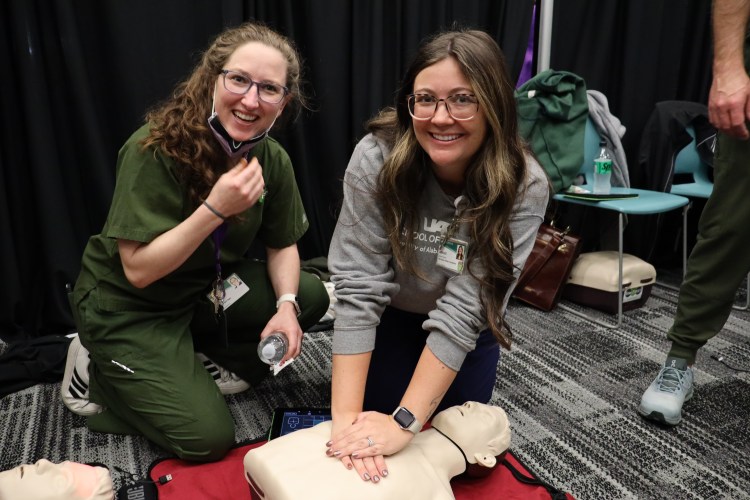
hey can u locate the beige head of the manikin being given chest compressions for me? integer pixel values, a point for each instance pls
(481, 431)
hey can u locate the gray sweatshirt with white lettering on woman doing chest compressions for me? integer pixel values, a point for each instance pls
(366, 280)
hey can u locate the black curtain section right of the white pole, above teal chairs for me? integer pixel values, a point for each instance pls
(637, 53)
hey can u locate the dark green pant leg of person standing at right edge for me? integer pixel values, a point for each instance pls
(721, 257)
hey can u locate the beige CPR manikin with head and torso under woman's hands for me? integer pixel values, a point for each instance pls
(295, 465)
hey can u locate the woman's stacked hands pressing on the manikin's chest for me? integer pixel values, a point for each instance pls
(364, 444)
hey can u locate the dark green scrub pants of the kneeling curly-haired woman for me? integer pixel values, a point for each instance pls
(144, 370)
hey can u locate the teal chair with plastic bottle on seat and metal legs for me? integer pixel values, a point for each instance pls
(646, 203)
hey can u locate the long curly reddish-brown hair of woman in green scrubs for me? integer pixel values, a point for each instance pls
(179, 125)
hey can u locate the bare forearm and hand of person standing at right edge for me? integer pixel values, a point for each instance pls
(729, 97)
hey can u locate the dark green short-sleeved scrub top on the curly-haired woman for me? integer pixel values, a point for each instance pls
(150, 200)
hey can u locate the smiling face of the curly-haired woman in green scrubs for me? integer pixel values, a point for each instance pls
(246, 116)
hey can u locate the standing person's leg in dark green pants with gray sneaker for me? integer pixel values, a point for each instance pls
(718, 263)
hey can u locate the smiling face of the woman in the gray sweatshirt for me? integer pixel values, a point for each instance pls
(449, 143)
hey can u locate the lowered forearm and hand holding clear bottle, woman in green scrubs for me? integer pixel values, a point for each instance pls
(283, 266)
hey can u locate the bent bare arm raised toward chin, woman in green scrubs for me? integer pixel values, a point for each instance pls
(234, 192)
